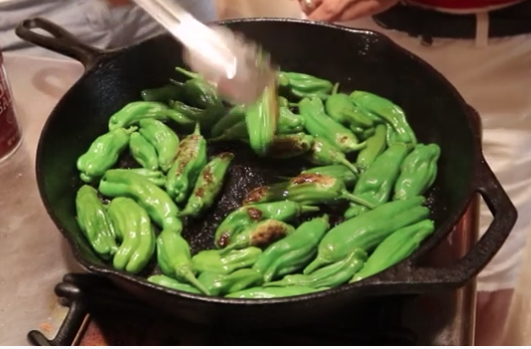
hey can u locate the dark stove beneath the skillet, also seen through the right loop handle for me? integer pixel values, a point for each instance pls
(101, 314)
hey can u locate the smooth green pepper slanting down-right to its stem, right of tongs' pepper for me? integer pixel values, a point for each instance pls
(318, 124)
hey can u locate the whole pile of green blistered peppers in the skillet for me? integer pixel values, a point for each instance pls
(361, 154)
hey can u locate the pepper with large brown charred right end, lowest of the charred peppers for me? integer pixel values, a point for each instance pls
(259, 234)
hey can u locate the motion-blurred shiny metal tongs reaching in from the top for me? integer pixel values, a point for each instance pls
(239, 69)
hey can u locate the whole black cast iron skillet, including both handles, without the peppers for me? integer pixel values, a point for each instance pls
(358, 60)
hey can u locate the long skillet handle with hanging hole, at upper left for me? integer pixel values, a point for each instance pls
(60, 41)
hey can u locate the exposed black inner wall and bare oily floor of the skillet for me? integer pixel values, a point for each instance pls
(356, 59)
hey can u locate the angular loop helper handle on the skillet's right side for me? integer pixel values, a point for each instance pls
(504, 217)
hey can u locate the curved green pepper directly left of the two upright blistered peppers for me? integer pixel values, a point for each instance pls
(163, 139)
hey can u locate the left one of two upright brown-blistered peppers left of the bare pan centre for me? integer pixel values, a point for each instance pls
(190, 159)
